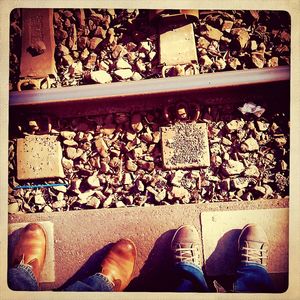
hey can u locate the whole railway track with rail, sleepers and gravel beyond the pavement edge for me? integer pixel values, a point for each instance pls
(117, 135)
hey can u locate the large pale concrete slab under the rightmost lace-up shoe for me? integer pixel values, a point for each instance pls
(220, 231)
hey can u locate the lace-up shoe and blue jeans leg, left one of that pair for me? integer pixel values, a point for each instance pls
(187, 255)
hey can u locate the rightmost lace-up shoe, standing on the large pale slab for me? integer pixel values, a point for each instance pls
(253, 244)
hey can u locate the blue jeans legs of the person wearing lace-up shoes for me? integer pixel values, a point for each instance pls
(251, 277)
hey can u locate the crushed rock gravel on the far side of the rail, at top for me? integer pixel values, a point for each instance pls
(109, 45)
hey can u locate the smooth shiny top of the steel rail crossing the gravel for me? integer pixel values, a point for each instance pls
(208, 81)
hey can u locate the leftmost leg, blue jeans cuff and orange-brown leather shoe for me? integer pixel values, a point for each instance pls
(28, 259)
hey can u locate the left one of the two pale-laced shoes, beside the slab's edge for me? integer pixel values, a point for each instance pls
(186, 246)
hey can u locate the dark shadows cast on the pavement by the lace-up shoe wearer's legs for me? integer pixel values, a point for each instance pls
(156, 274)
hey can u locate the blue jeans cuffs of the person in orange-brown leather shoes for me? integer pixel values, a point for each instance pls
(21, 278)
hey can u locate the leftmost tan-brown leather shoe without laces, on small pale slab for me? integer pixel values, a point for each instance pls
(31, 248)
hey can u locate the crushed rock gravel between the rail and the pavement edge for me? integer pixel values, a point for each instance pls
(115, 160)
